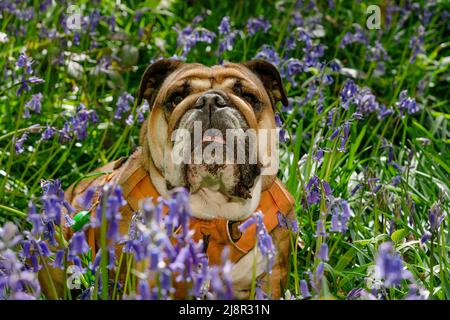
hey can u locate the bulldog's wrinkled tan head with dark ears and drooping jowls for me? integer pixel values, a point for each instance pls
(213, 108)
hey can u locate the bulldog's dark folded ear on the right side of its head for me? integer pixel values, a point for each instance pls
(271, 79)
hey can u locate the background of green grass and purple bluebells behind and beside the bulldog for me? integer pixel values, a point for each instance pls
(106, 59)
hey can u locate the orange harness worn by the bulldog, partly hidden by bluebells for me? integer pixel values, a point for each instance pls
(276, 199)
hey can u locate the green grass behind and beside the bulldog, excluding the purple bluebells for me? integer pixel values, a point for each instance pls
(425, 180)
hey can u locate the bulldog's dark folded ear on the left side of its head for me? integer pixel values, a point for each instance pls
(153, 77)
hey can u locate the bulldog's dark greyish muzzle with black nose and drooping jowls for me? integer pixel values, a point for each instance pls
(220, 158)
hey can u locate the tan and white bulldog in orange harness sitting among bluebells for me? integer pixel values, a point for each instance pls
(189, 99)
